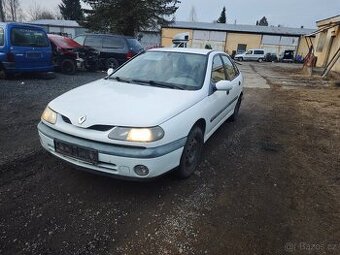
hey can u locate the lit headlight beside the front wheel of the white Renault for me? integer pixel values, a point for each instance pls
(137, 134)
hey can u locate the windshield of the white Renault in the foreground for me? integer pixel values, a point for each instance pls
(176, 70)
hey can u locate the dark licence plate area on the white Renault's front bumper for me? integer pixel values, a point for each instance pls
(75, 151)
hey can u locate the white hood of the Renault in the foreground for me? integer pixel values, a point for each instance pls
(108, 102)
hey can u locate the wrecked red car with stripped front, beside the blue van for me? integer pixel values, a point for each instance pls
(68, 55)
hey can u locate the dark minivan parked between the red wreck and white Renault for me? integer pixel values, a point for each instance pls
(113, 50)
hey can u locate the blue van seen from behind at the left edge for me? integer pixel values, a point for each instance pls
(24, 48)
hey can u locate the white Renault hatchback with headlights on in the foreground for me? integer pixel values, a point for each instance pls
(150, 116)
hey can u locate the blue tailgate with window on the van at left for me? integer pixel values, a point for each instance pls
(30, 48)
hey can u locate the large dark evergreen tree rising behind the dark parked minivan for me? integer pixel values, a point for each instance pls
(128, 17)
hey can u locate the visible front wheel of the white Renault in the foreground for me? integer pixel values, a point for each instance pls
(192, 153)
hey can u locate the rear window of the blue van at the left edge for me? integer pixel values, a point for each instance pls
(28, 37)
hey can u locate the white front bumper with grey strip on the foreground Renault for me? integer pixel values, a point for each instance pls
(117, 160)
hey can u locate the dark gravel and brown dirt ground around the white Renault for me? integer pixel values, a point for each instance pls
(268, 183)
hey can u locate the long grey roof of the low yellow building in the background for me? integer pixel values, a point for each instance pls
(242, 28)
